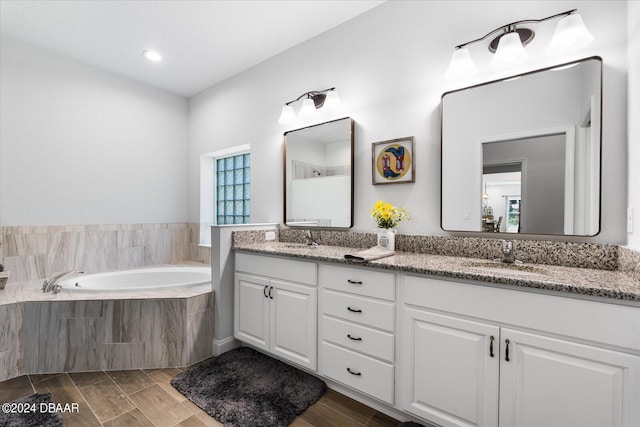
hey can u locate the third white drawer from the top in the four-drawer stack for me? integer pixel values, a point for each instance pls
(360, 338)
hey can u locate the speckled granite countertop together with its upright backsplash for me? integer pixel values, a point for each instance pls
(579, 269)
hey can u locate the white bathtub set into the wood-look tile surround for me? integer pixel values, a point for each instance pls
(141, 279)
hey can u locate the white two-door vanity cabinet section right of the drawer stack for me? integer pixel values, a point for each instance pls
(482, 356)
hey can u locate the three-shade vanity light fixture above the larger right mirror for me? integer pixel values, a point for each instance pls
(508, 46)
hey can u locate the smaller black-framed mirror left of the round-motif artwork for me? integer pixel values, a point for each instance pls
(318, 175)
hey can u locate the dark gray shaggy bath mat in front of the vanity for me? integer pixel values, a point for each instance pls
(245, 388)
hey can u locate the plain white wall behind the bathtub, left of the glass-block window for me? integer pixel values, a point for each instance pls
(83, 146)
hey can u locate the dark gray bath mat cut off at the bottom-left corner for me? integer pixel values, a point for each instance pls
(16, 415)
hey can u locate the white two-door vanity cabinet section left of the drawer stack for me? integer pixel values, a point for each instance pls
(275, 307)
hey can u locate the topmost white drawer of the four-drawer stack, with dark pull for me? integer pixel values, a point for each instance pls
(358, 281)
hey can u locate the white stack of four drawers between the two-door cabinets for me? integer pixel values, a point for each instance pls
(357, 325)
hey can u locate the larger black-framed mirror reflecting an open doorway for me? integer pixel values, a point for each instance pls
(522, 154)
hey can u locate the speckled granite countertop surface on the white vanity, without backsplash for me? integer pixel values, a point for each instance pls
(616, 286)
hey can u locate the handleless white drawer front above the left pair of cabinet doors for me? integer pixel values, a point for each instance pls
(280, 268)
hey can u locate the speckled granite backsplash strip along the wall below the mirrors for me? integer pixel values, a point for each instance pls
(569, 254)
